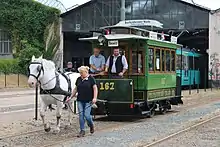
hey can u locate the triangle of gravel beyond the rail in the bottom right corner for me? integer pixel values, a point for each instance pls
(206, 135)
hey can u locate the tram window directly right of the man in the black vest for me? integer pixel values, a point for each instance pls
(137, 62)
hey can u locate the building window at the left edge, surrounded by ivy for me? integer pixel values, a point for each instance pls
(5, 42)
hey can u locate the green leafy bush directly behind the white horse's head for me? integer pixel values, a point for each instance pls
(25, 55)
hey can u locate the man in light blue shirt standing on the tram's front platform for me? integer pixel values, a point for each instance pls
(97, 62)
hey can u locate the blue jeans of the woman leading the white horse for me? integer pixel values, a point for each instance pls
(84, 110)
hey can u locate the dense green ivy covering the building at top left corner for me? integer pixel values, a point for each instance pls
(26, 20)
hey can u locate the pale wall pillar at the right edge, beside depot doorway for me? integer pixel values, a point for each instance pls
(214, 45)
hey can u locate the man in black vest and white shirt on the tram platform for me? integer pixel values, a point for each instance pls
(116, 64)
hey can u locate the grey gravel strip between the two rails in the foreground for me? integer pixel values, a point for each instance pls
(142, 133)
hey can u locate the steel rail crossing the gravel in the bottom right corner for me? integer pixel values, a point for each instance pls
(180, 132)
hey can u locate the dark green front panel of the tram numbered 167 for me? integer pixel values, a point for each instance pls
(116, 97)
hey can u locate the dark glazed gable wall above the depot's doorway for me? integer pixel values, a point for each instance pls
(171, 13)
